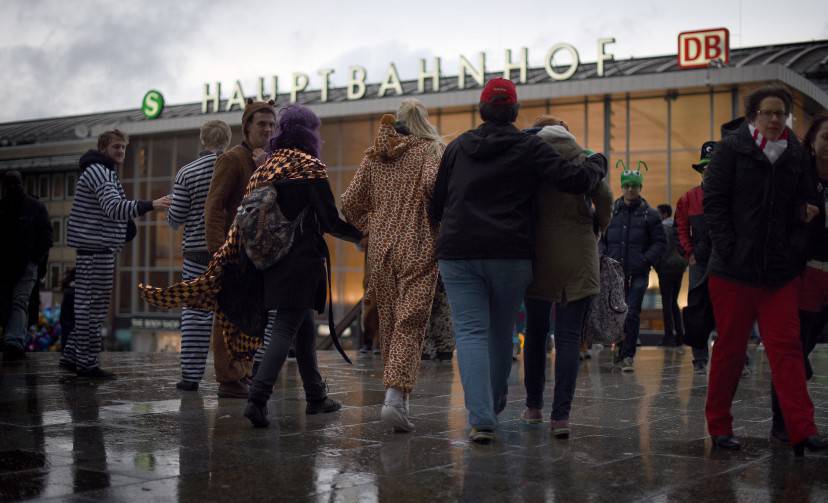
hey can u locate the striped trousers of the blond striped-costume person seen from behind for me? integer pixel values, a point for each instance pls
(196, 326)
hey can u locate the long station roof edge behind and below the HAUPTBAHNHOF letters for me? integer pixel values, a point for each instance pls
(804, 62)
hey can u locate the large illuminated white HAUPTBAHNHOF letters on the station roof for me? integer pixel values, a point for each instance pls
(428, 79)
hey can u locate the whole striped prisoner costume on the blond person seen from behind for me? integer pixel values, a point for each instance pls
(189, 194)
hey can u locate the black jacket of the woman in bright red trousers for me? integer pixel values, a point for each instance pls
(752, 209)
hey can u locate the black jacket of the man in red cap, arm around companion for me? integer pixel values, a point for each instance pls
(484, 193)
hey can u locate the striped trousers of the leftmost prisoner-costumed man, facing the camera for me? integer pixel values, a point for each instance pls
(93, 293)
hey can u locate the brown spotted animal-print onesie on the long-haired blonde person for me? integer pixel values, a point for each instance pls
(387, 201)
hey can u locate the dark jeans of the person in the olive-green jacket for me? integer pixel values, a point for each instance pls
(569, 327)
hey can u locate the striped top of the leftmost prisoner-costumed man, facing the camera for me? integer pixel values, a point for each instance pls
(100, 211)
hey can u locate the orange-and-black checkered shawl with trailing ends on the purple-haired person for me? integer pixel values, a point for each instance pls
(202, 292)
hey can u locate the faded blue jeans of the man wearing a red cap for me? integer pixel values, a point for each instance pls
(484, 296)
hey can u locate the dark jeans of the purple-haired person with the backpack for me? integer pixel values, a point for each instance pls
(289, 324)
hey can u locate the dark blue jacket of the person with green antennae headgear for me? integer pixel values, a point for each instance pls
(635, 237)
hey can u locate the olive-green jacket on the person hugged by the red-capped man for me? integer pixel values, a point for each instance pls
(566, 246)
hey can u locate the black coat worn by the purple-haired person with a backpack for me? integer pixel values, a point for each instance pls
(298, 280)
